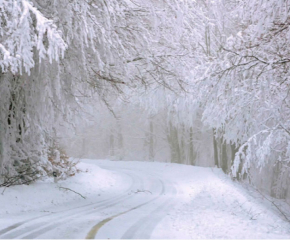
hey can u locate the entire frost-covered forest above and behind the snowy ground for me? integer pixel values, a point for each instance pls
(203, 83)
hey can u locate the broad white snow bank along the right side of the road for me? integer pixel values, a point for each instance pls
(213, 206)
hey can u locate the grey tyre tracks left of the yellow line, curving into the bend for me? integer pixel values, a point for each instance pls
(5, 233)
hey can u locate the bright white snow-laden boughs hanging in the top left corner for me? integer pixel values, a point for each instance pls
(24, 28)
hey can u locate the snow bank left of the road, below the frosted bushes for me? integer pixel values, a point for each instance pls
(44, 194)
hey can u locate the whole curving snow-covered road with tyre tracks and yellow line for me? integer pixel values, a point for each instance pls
(132, 213)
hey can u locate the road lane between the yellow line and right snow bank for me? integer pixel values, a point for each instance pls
(148, 199)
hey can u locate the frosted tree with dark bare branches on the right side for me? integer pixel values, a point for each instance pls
(244, 88)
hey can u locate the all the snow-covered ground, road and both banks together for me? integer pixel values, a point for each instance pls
(138, 200)
